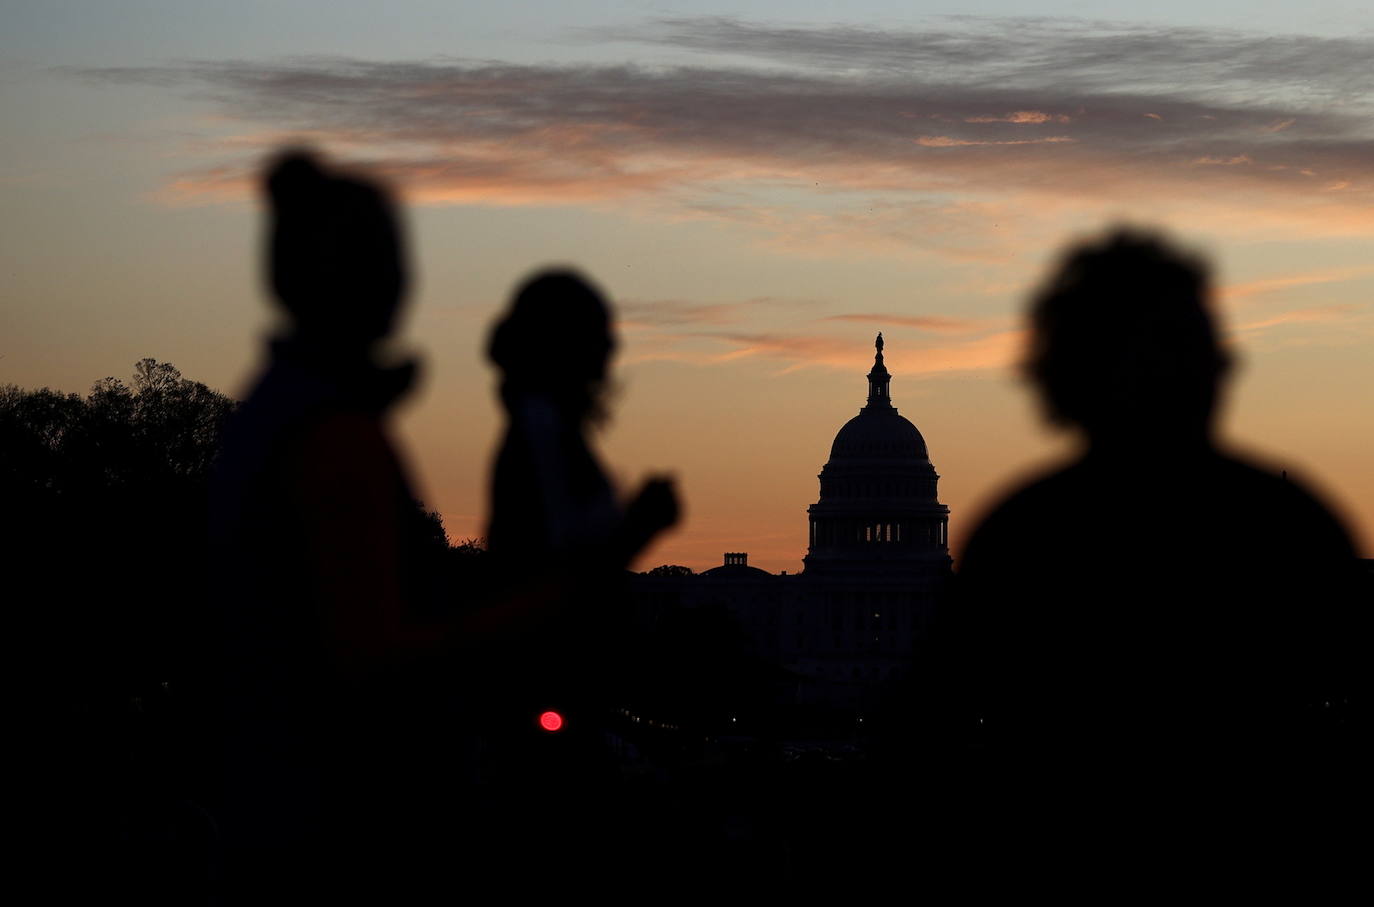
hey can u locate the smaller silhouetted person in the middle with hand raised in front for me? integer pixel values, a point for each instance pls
(556, 516)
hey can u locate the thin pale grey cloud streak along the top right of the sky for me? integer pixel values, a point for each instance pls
(1034, 52)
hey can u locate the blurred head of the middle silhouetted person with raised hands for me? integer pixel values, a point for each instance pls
(556, 340)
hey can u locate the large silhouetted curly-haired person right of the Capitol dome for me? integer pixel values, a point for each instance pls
(1160, 645)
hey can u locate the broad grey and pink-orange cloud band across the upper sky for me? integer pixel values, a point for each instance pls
(1038, 115)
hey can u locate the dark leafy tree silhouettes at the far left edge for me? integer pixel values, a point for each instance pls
(106, 500)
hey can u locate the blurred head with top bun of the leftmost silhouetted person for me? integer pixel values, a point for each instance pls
(335, 252)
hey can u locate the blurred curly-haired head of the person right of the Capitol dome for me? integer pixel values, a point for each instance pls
(1123, 341)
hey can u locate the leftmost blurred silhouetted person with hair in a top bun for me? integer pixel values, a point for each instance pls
(313, 520)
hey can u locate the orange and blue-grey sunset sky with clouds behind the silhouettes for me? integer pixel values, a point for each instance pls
(759, 188)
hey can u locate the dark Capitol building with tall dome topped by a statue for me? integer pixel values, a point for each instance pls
(877, 564)
